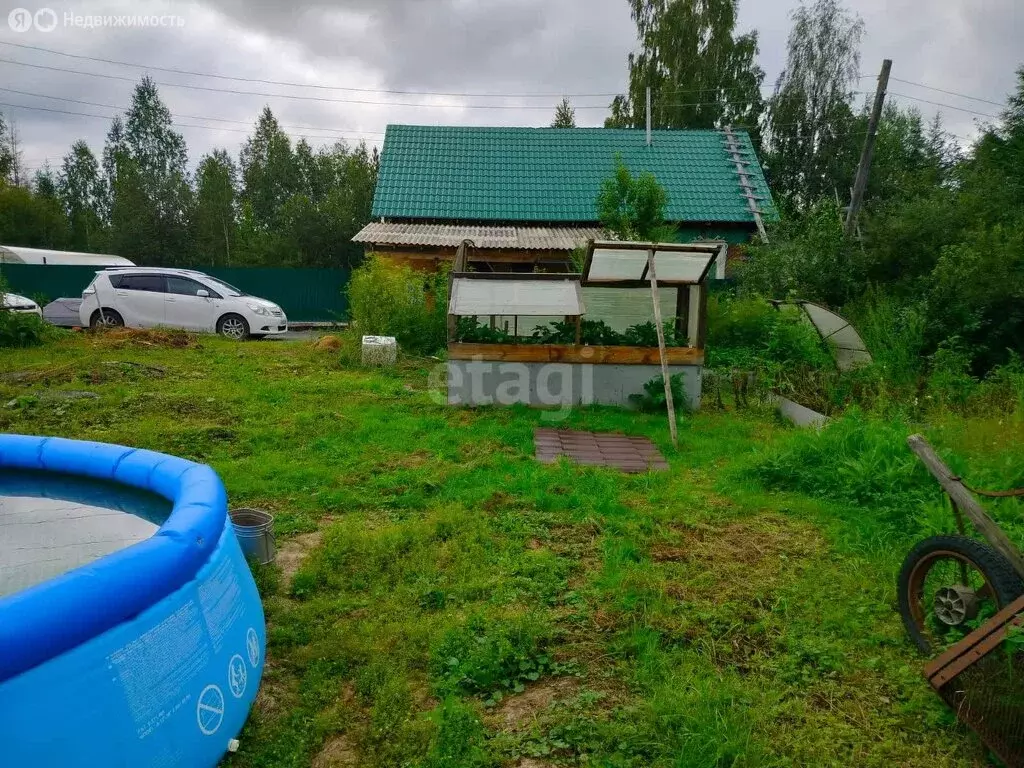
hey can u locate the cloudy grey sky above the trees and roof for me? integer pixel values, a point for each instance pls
(369, 63)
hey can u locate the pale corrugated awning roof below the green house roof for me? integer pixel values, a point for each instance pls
(452, 236)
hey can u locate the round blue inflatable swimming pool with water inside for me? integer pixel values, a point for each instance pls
(132, 632)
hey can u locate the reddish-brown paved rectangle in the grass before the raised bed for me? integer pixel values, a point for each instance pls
(593, 449)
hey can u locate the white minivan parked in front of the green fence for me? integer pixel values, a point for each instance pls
(148, 297)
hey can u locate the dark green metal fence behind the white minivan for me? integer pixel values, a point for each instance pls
(306, 295)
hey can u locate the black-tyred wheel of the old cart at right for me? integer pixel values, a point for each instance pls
(950, 586)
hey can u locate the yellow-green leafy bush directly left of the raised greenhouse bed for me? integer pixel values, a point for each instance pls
(388, 300)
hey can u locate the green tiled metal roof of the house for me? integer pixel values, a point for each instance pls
(554, 175)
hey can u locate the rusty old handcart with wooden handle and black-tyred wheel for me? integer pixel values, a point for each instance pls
(963, 604)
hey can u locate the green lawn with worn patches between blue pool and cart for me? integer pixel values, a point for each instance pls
(442, 600)
